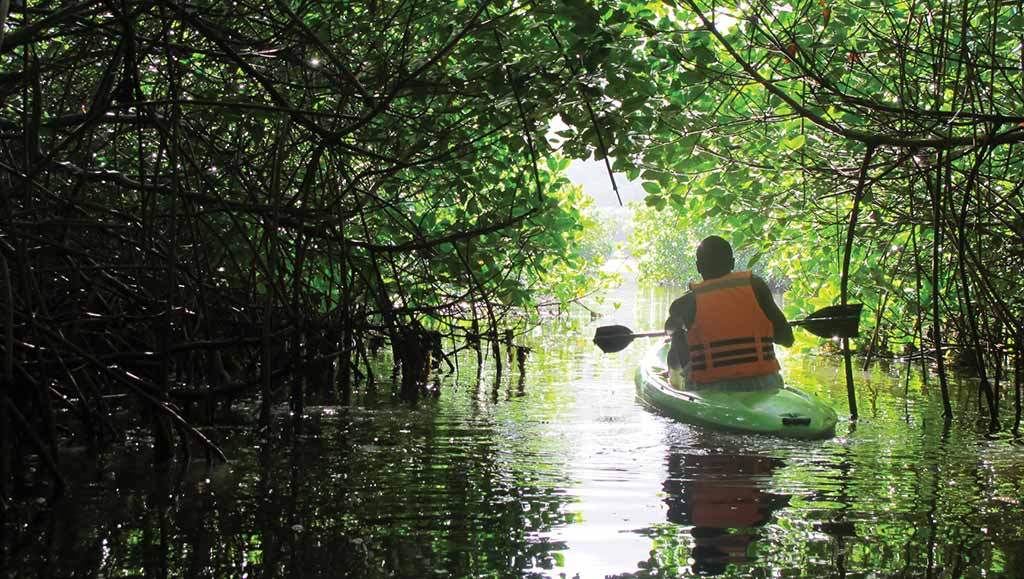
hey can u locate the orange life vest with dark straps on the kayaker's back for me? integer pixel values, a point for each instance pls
(732, 337)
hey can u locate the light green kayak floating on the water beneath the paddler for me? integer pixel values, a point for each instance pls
(781, 411)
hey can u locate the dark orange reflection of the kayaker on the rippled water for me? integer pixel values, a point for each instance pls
(724, 499)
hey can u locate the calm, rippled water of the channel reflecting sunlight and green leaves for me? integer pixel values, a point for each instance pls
(557, 474)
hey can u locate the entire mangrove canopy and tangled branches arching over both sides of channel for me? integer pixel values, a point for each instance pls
(211, 206)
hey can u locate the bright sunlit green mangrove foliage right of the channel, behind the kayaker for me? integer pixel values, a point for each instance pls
(795, 126)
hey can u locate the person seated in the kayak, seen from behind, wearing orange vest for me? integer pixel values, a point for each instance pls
(726, 328)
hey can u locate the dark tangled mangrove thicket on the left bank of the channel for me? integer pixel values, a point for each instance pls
(205, 198)
